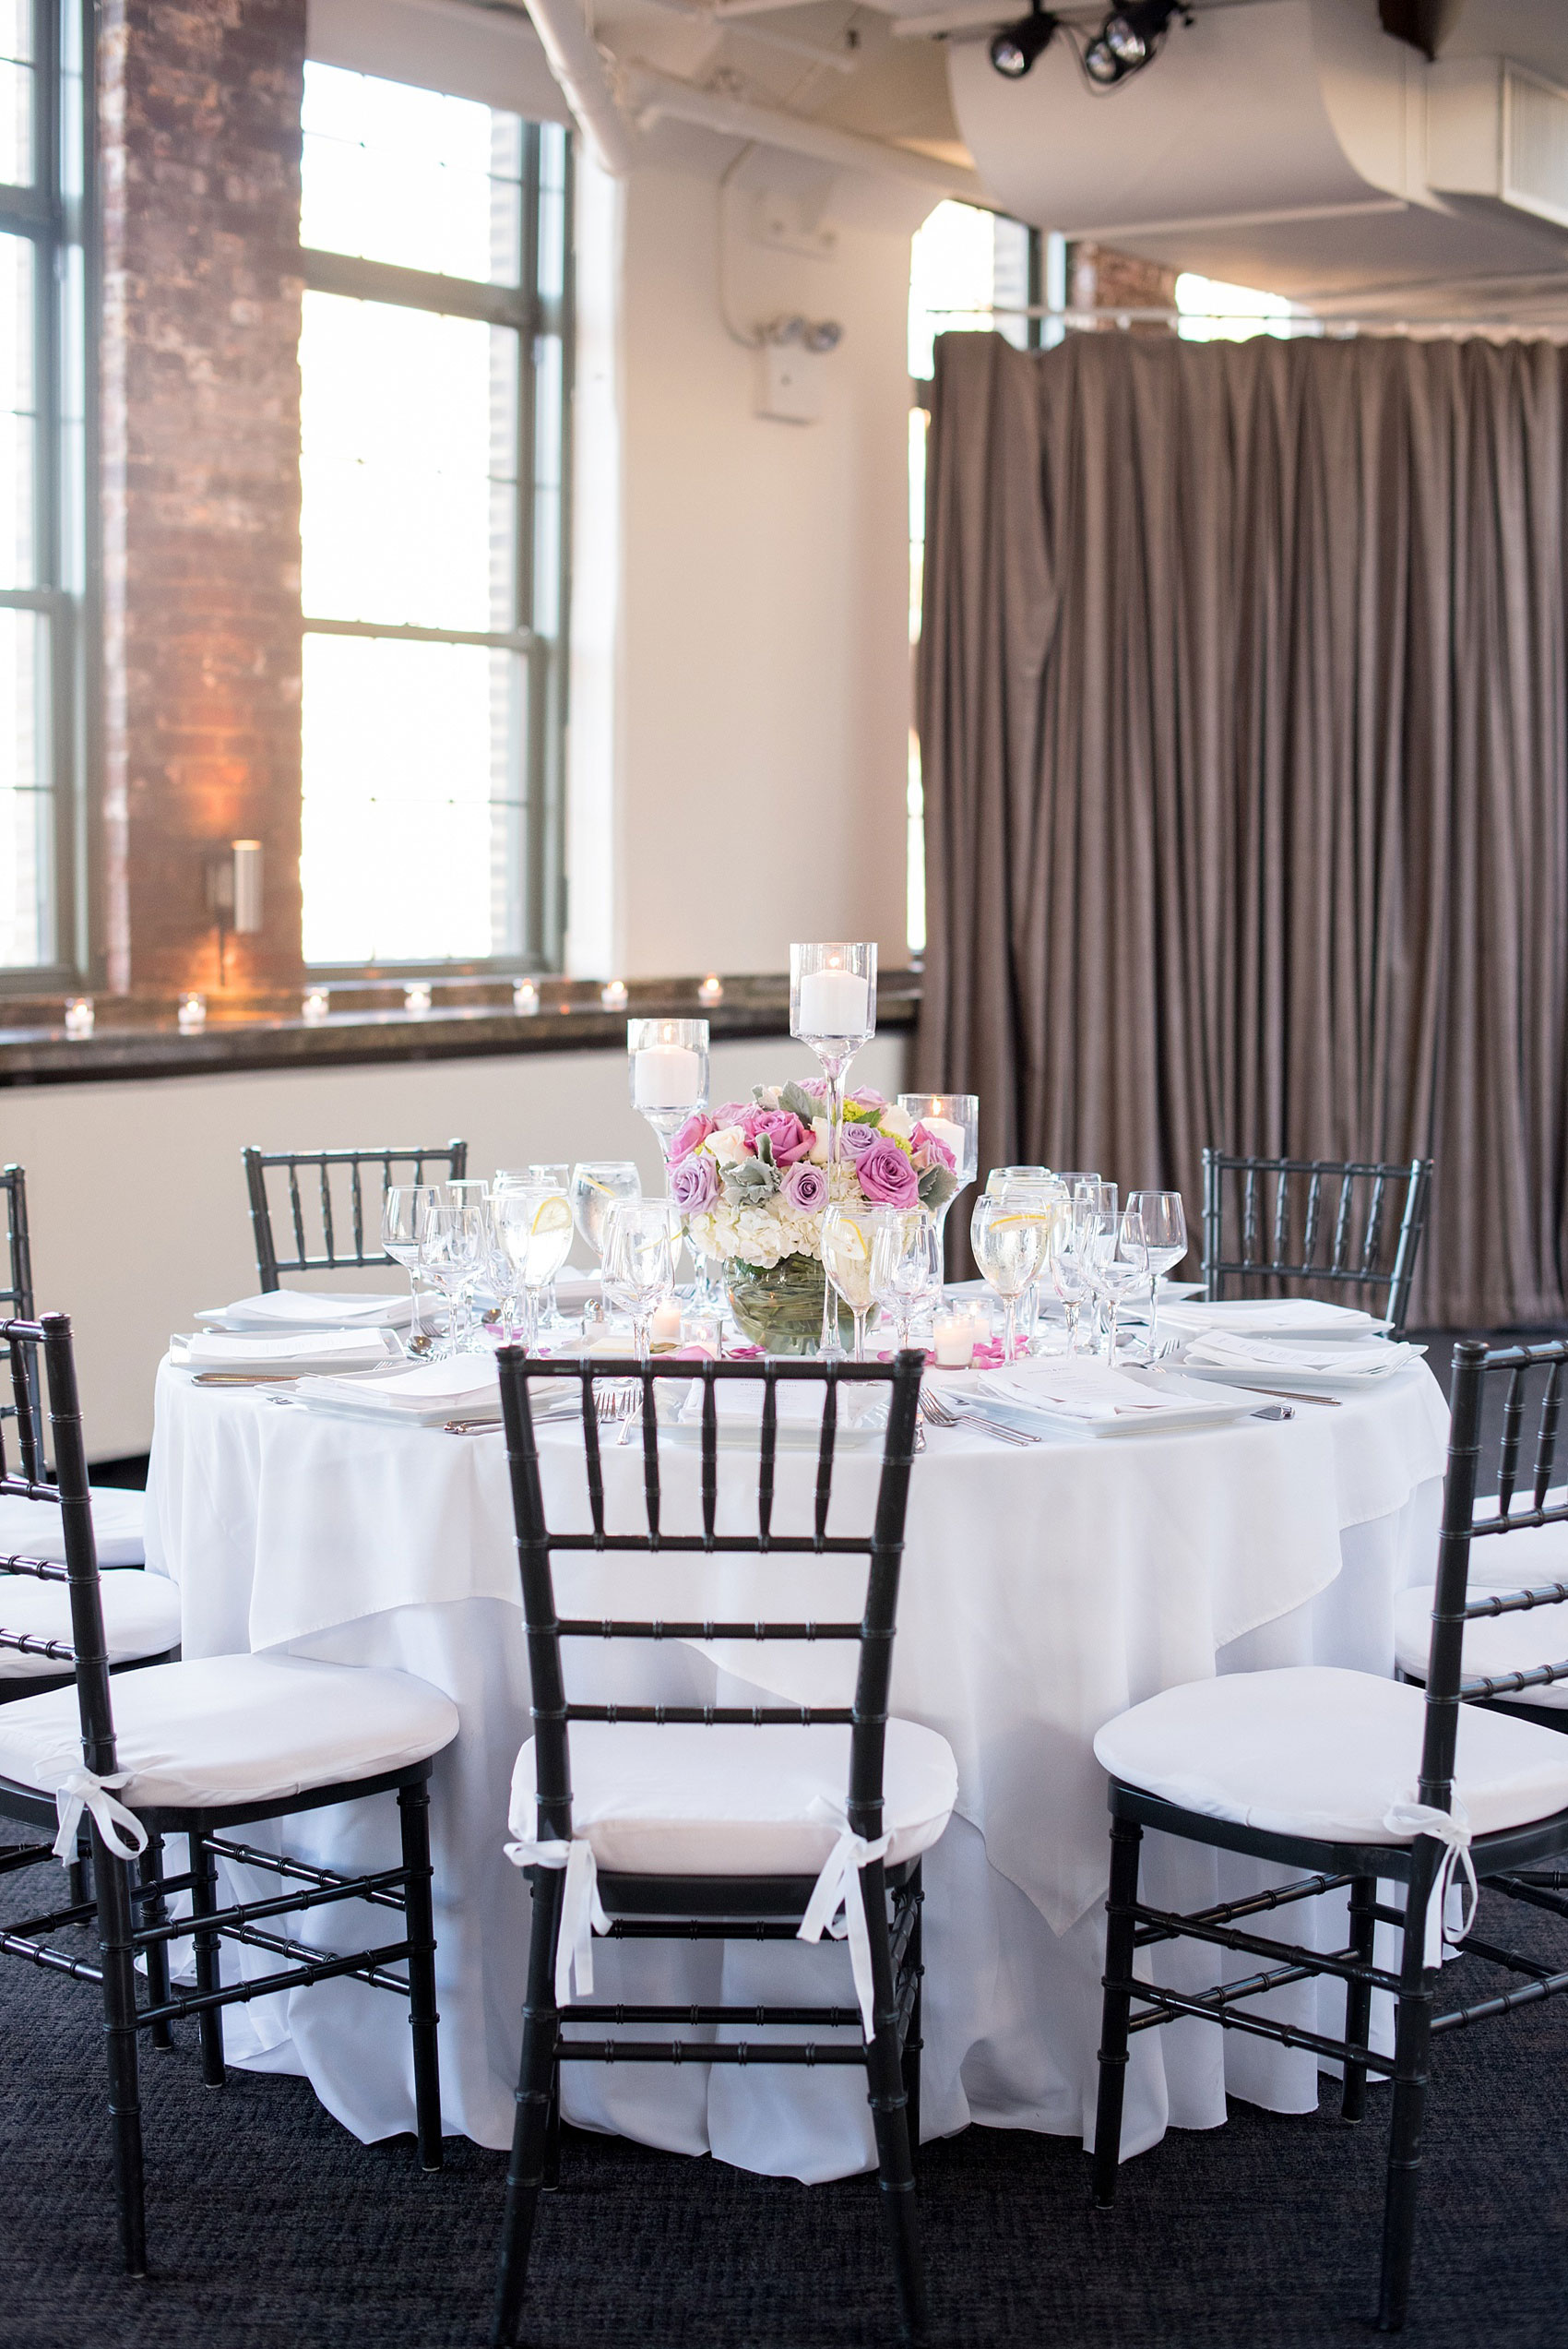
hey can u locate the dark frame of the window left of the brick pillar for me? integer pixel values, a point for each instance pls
(58, 220)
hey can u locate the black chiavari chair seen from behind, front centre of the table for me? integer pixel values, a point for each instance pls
(900, 1782)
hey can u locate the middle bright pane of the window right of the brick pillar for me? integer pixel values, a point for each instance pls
(407, 466)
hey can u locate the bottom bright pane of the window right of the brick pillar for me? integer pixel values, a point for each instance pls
(412, 800)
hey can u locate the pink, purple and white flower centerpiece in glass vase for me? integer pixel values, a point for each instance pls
(755, 1180)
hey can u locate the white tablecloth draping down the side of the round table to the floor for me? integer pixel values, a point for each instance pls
(1043, 1594)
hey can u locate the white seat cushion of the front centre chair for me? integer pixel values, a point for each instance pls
(734, 1801)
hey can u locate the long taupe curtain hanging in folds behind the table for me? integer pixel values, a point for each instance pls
(1245, 746)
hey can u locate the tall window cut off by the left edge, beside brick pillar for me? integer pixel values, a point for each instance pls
(41, 473)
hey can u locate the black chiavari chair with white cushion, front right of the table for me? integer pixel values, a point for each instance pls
(1421, 1779)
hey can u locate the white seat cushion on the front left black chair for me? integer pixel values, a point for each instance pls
(236, 1730)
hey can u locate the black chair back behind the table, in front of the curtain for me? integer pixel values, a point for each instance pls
(1330, 1223)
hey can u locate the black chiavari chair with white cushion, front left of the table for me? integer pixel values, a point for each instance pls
(196, 1751)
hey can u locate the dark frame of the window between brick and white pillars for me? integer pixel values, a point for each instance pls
(546, 659)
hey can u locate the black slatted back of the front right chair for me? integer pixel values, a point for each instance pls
(1452, 1608)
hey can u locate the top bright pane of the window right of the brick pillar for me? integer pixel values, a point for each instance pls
(410, 177)
